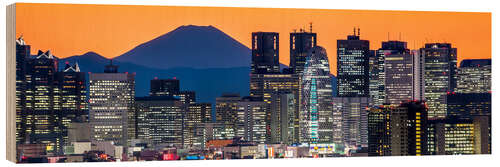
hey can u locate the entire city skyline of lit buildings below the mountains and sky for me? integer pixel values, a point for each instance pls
(389, 101)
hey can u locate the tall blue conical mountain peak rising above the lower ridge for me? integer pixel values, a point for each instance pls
(190, 46)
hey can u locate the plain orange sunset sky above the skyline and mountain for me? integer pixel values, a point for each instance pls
(112, 30)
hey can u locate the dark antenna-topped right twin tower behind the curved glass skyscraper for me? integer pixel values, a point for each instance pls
(300, 44)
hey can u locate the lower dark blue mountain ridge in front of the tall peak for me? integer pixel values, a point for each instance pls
(208, 83)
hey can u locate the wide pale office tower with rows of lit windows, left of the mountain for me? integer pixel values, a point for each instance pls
(111, 110)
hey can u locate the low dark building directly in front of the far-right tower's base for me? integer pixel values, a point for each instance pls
(467, 105)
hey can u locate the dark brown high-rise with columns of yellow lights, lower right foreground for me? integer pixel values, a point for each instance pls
(397, 130)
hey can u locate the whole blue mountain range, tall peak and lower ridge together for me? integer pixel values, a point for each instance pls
(203, 58)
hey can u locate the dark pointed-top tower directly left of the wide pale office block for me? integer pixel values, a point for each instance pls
(72, 98)
